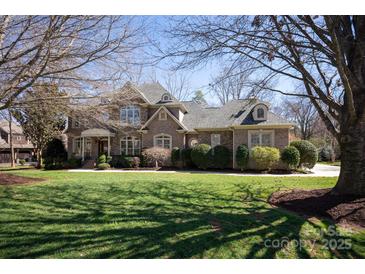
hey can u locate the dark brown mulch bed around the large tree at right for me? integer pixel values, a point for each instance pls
(342, 209)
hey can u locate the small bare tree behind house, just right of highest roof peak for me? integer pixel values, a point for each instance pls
(178, 85)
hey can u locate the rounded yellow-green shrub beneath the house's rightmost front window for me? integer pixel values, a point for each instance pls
(265, 157)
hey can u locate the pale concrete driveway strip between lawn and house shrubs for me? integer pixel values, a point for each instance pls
(318, 171)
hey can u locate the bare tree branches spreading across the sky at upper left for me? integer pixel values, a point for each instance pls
(79, 53)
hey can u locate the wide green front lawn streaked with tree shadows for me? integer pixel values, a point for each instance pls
(144, 215)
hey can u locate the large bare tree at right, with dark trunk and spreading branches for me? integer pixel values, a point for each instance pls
(323, 53)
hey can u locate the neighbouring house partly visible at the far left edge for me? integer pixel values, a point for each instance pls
(23, 148)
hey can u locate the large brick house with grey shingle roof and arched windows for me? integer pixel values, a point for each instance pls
(155, 118)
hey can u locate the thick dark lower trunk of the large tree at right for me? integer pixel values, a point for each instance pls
(352, 144)
